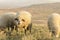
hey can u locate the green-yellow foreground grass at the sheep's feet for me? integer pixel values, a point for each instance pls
(39, 32)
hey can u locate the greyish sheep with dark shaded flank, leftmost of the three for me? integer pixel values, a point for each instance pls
(9, 20)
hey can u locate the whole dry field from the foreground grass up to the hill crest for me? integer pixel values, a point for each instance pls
(40, 15)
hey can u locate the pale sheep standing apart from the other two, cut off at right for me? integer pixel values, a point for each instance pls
(54, 24)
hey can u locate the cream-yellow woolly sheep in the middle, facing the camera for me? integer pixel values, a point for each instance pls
(25, 21)
